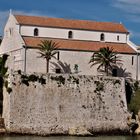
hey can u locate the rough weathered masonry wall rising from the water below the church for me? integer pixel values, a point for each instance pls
(66, 104)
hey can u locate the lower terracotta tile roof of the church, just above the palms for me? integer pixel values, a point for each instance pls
(80, 45)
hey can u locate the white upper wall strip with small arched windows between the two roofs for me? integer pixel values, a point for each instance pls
(77, 34)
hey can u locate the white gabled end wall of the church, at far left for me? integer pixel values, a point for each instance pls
(12, 44)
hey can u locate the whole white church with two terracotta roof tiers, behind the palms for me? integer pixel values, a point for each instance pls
(77, 41)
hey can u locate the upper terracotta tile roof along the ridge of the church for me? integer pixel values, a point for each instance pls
(71, 24)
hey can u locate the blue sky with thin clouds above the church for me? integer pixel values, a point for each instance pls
(124, 11)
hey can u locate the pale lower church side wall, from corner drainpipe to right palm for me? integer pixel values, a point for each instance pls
(36, 64)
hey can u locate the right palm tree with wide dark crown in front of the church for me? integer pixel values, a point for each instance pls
(105, 58)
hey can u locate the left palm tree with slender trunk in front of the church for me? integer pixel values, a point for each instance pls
(47, 51)
